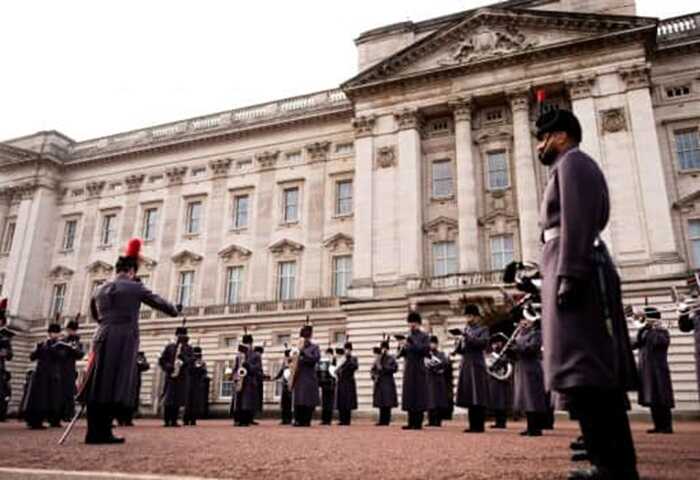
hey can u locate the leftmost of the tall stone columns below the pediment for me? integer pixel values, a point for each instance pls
(363, 205)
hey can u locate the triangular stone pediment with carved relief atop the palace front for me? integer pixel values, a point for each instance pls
(491, 35)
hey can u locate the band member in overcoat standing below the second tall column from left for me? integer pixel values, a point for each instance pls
(414, 349)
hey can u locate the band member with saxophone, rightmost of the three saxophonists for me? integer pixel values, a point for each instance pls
(305, 393)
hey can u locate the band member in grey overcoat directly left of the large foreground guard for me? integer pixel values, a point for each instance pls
(529, 396)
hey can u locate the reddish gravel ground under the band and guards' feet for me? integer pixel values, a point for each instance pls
(215, 449)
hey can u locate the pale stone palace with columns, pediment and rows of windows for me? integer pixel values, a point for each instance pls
(409, 186)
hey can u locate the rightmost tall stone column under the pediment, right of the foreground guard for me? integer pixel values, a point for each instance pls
(657, 208)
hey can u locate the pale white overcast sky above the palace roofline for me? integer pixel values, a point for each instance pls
(94, 67)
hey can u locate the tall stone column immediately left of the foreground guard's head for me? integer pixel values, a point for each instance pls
(526, 184)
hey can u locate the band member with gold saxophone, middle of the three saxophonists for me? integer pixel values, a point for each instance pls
(245, 397)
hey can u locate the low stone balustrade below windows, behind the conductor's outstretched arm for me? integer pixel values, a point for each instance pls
(251, 308)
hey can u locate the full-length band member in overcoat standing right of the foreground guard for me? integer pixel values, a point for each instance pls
(655, 389)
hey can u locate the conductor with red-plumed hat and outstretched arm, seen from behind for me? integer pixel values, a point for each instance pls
(111, 370)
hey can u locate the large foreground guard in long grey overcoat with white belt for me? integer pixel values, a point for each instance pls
(587, 353)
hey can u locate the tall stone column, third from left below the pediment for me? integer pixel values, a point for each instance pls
(466, 187)
